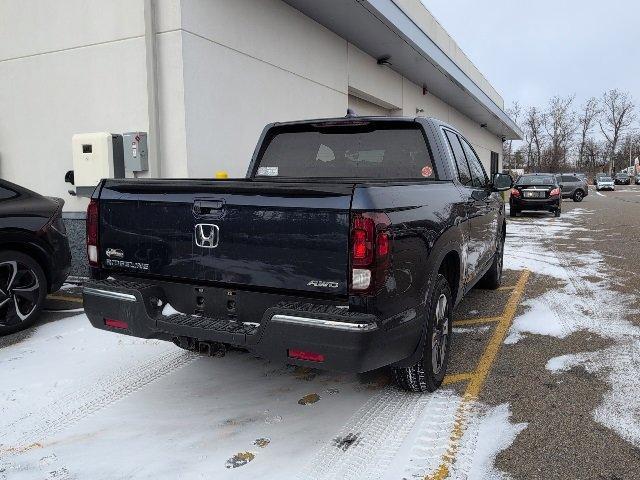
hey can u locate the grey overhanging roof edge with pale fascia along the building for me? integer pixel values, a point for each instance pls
(383, 30)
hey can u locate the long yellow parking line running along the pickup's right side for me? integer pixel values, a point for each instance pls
(478, 378)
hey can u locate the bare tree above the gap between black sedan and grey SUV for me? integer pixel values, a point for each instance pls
(560, 125)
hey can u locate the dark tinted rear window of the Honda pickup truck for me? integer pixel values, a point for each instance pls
(367, 151)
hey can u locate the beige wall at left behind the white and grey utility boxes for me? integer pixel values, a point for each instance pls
(76, 66)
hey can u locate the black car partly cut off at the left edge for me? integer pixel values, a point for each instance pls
(34, 254)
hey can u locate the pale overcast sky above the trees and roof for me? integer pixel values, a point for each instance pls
(532, 50)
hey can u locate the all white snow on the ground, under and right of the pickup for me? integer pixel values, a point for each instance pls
(76, 402)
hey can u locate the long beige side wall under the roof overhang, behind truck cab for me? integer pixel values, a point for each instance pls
(251, 62)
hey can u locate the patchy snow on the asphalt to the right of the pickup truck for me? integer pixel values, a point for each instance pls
(584, 301)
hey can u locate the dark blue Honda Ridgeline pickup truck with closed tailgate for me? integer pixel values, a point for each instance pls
(346, 248)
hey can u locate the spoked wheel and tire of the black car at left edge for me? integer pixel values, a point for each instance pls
(23, 288)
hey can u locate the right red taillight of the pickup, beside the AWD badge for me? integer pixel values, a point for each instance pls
(370, 251)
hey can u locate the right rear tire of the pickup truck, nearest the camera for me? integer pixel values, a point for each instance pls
(427, 374)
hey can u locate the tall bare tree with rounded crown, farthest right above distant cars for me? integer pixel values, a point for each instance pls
(617, 115)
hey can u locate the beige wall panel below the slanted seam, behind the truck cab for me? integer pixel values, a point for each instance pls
(230, 97)
